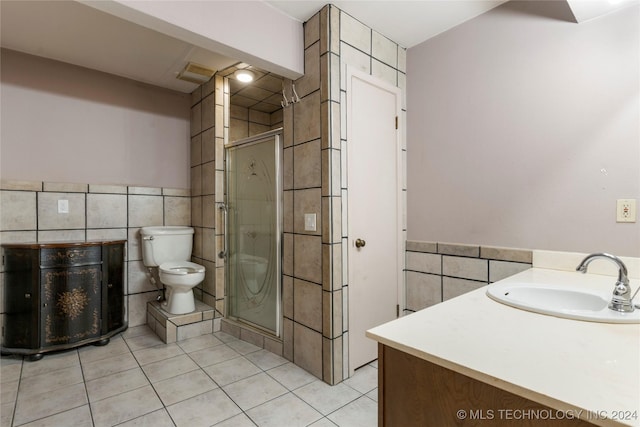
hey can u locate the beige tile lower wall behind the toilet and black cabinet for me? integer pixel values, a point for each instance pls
(96, 212)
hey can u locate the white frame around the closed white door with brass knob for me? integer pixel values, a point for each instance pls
(353, 73)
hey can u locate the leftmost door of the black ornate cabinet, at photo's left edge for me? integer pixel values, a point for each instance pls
(22, 299)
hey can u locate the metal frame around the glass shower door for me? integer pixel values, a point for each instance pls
(279, 158)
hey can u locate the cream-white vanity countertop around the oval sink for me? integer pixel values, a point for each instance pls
(589, 369)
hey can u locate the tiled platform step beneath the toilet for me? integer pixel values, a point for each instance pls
(177, 327)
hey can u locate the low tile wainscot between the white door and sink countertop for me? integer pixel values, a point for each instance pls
(436, 272)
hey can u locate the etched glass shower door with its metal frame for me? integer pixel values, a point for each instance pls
(253, 231)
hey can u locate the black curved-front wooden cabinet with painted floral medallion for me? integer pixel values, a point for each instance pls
(62, 295)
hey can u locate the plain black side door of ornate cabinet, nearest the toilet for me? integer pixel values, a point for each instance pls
(113, 286)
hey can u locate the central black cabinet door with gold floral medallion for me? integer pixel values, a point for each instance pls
(71, 304)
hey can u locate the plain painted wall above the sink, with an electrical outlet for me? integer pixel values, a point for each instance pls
(523, 130)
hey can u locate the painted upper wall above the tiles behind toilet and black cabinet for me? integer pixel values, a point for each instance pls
(62, 123)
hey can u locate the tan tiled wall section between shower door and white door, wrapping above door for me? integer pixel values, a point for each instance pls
(315, 266)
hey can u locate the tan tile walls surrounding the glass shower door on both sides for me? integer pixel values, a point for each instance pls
(315, 331)
